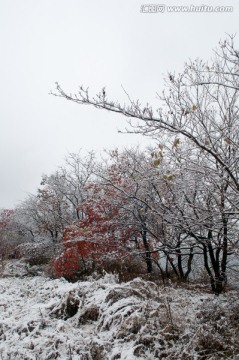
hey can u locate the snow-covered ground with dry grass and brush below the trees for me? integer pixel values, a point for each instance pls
(101, 319)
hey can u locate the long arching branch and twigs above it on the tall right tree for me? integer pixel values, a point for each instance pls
(201, 105)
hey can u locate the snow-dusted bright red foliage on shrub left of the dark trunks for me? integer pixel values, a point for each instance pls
(98, 236)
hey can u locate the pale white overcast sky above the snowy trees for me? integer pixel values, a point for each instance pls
(96, 43)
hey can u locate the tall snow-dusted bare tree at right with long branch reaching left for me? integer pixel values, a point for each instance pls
(198, 111)
